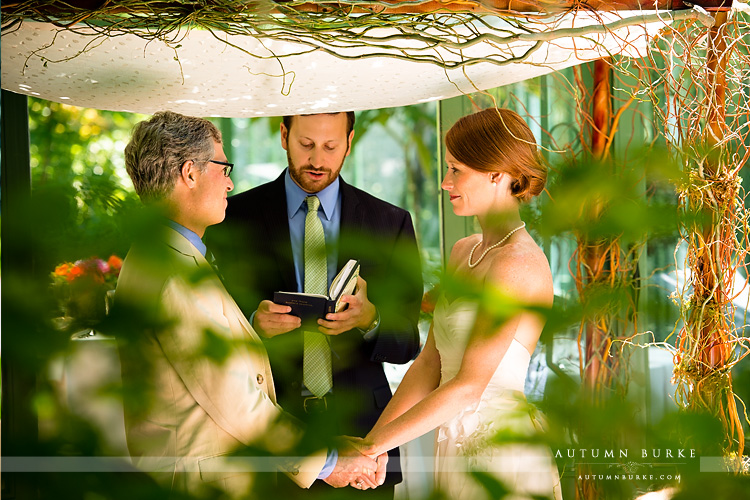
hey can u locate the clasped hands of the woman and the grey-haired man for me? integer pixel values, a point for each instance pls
(355, 468)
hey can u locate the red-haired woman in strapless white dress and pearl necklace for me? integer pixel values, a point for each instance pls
(468, 380)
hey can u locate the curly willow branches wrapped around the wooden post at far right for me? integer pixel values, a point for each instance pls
(709, 136)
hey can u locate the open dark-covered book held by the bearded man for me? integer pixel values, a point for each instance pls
(311, 306)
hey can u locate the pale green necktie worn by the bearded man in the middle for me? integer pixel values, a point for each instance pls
(316, 364)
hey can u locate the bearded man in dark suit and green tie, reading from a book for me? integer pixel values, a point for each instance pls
(294, 234)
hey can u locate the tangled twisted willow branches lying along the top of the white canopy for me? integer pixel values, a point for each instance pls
(346, 30)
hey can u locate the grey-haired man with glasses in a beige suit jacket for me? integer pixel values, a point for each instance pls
(175, 311)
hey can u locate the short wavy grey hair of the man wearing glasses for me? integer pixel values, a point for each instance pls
(159, 146)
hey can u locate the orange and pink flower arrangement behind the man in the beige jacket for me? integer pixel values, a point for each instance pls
(81, 289)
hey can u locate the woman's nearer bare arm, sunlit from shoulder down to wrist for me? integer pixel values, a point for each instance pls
(486, 348)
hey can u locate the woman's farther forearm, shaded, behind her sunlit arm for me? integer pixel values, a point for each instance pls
(422, 378)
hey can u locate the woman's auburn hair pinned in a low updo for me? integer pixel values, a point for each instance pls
(498, 140)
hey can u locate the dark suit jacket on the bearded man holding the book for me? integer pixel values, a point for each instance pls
(254, 253)
